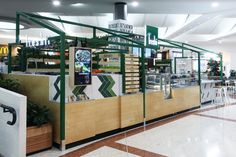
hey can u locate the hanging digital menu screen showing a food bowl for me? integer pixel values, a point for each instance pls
(82, 66)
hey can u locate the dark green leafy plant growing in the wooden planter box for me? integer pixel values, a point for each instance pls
(37, 115)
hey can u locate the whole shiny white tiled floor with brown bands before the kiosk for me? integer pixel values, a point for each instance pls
(208, 132)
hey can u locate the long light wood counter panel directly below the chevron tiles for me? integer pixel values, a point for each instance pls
(88, 118)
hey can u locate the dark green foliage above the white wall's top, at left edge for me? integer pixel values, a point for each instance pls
(10, 84)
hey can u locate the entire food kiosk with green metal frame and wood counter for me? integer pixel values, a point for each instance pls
(95, 90)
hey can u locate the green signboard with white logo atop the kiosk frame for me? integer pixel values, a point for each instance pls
(151, 37)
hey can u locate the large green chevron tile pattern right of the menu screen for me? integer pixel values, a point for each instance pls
(106, 88)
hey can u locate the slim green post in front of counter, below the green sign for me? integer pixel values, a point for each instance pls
(143, 84)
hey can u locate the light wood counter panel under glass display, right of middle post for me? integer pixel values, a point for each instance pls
(183, 99)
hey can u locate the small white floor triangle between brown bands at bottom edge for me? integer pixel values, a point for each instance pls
(108, 152)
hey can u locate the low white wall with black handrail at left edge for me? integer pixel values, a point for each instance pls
(13, 138)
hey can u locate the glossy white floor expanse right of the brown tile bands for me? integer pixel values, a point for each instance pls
(193, 136)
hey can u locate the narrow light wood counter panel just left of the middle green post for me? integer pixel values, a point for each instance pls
(131, 110)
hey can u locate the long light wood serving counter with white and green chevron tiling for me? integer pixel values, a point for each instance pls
(103, 111)
